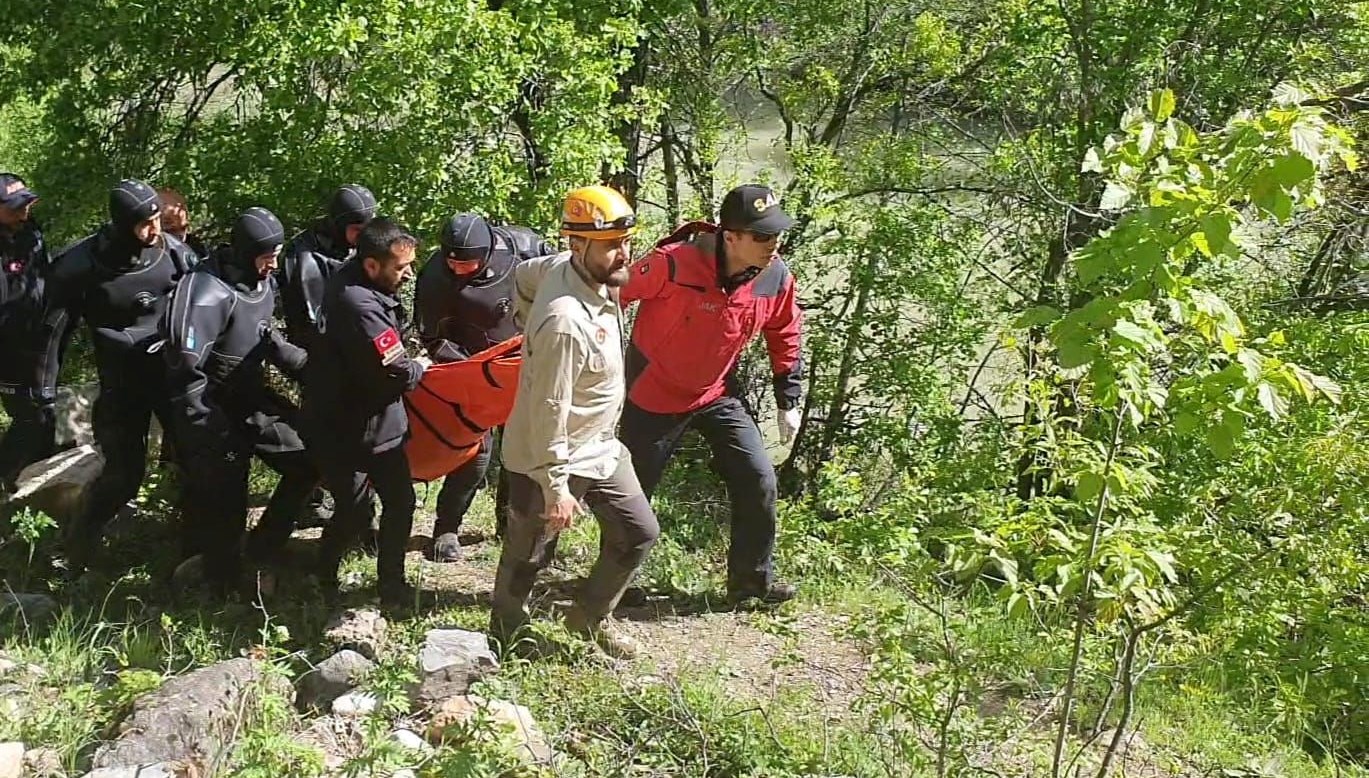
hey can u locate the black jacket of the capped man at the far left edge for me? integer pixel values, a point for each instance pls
(25, 264)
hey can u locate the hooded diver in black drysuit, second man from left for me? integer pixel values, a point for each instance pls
(118, 281)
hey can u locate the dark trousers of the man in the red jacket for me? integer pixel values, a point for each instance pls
(748, 472)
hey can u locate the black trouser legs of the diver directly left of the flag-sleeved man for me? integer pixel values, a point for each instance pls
(216, 501)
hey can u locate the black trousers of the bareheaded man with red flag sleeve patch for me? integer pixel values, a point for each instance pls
(351, 481)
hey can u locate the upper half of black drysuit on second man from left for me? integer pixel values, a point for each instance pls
(121, 291)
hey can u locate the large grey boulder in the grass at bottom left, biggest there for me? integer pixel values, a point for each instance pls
(188, 720)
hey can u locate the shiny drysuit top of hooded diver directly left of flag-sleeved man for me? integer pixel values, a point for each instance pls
(218, 336)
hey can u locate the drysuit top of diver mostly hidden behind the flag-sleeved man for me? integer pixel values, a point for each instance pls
(307, 264)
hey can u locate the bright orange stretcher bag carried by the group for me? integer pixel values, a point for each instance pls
(457, 405)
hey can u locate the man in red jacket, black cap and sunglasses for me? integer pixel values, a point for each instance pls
(706, 292)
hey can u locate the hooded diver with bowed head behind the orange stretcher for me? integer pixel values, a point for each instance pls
(463, 301)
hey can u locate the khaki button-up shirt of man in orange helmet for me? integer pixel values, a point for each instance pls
(572, 386)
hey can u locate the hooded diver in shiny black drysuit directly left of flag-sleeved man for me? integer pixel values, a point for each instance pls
(218, 335)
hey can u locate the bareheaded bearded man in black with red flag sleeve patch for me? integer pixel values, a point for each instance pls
(354, 412)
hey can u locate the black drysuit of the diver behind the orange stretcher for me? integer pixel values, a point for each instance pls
(465, 316)
